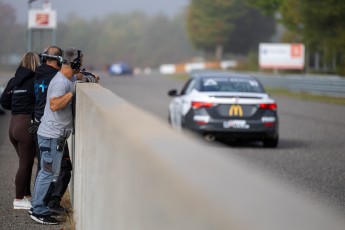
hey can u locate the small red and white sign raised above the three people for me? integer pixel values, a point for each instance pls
(42, 19)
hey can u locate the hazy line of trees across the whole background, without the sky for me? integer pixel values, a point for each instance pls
(211, 29)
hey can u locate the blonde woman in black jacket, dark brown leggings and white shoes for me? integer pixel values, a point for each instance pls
(23, 101)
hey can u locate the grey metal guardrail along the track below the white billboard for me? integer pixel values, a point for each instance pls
(320, 85)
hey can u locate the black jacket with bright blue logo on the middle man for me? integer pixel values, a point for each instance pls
(43, 75)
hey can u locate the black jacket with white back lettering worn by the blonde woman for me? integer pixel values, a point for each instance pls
(23, 99)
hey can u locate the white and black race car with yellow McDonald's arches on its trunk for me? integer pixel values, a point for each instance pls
(225, 105)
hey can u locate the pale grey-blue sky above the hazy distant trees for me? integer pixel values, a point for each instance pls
(90, 9)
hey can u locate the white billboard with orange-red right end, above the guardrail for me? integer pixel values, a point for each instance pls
(281, 56)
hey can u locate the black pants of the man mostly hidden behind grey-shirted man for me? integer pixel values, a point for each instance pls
(57, 190)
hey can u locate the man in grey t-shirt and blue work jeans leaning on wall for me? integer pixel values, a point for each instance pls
(55, 127)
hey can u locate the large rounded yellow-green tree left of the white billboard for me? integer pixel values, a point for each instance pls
(227, 27)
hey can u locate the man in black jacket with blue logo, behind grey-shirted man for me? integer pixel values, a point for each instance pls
(51, 64)
